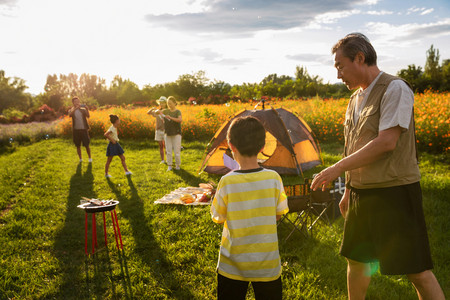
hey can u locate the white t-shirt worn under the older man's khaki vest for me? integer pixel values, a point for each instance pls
(396, 104)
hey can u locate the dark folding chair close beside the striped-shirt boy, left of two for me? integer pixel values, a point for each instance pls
(299, 205)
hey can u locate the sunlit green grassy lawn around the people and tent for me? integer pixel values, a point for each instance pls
(170, 252)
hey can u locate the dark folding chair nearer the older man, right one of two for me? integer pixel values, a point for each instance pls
(323, 201)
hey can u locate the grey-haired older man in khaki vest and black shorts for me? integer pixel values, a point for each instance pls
(382, 204)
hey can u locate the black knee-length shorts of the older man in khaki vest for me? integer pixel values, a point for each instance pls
(387, 225)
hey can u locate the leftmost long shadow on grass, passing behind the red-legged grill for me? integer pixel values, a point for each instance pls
(97, 277)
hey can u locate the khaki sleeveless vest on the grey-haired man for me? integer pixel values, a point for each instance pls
(395, 168)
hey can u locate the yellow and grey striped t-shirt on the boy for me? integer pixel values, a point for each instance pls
(248, 201)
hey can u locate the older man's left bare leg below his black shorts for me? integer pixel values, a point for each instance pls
(358, 279)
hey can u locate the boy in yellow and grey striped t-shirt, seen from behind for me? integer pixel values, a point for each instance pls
(249, 201)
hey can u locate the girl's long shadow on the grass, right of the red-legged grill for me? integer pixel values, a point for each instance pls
(147, 247)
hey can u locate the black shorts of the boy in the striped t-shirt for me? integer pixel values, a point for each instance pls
(237, 289)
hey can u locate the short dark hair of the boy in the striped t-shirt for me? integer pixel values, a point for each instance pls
(247, 134)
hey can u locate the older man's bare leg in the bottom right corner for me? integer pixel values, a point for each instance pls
(426, 285)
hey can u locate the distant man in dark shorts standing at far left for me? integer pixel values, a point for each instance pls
(80, 126)
